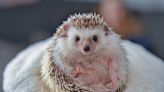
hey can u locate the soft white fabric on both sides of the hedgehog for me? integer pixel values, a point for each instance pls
(22, 73)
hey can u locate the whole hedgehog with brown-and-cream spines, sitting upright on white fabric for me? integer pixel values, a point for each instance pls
(85, 56)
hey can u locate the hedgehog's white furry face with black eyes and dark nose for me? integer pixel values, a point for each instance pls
(86, 40)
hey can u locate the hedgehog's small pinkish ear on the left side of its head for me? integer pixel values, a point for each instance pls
(64, 31)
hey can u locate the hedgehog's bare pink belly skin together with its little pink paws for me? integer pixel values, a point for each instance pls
(88, 74)
